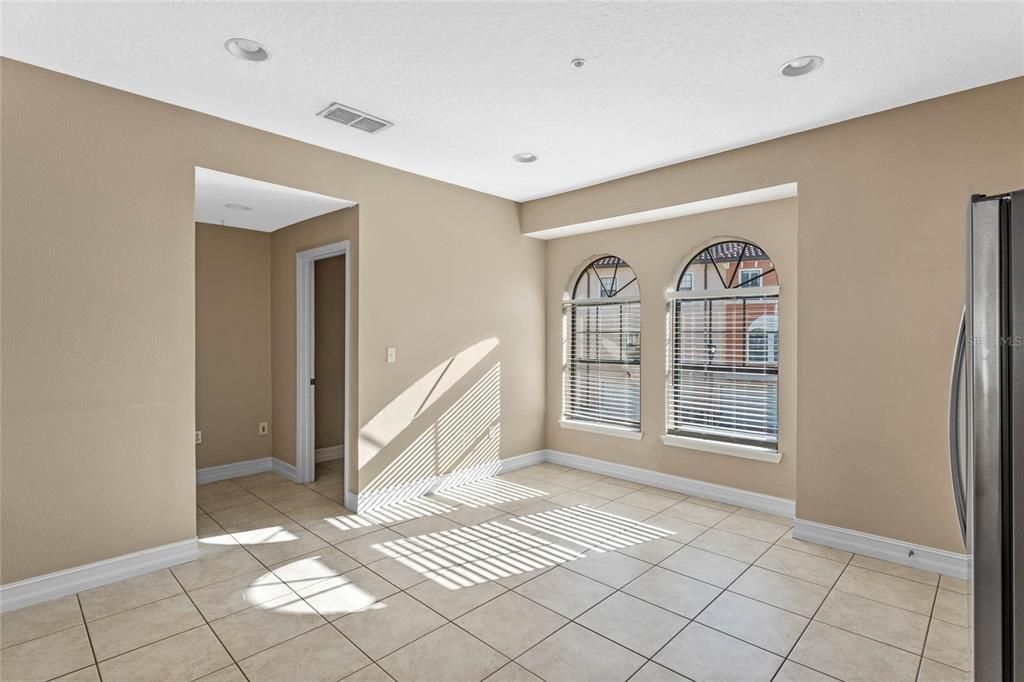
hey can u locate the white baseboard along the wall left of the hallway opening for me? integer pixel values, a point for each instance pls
(62, 583)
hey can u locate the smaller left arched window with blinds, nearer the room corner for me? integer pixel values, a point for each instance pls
(602, 375)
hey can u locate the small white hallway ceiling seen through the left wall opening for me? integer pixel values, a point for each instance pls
(272, 206)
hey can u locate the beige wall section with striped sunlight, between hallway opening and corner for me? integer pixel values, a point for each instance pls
(459, 281)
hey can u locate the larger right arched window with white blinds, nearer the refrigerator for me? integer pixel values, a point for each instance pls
(723, 382)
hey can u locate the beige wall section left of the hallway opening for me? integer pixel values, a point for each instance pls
(99, 329)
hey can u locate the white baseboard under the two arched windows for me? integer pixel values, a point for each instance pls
(733, 496)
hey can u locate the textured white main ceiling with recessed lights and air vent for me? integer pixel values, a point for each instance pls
(470, 84)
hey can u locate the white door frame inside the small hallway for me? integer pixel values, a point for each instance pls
(305, 318)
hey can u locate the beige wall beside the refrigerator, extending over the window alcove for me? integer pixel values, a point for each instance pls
(881, 260)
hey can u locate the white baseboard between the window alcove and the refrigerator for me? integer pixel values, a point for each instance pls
(898, 551)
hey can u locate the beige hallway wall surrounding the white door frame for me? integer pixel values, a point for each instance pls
(328, 229)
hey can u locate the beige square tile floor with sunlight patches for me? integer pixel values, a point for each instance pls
(545, 574)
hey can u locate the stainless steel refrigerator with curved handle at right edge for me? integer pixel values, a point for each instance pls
(987, 433)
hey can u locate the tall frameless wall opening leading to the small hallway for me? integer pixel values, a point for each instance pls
(249, 237)
